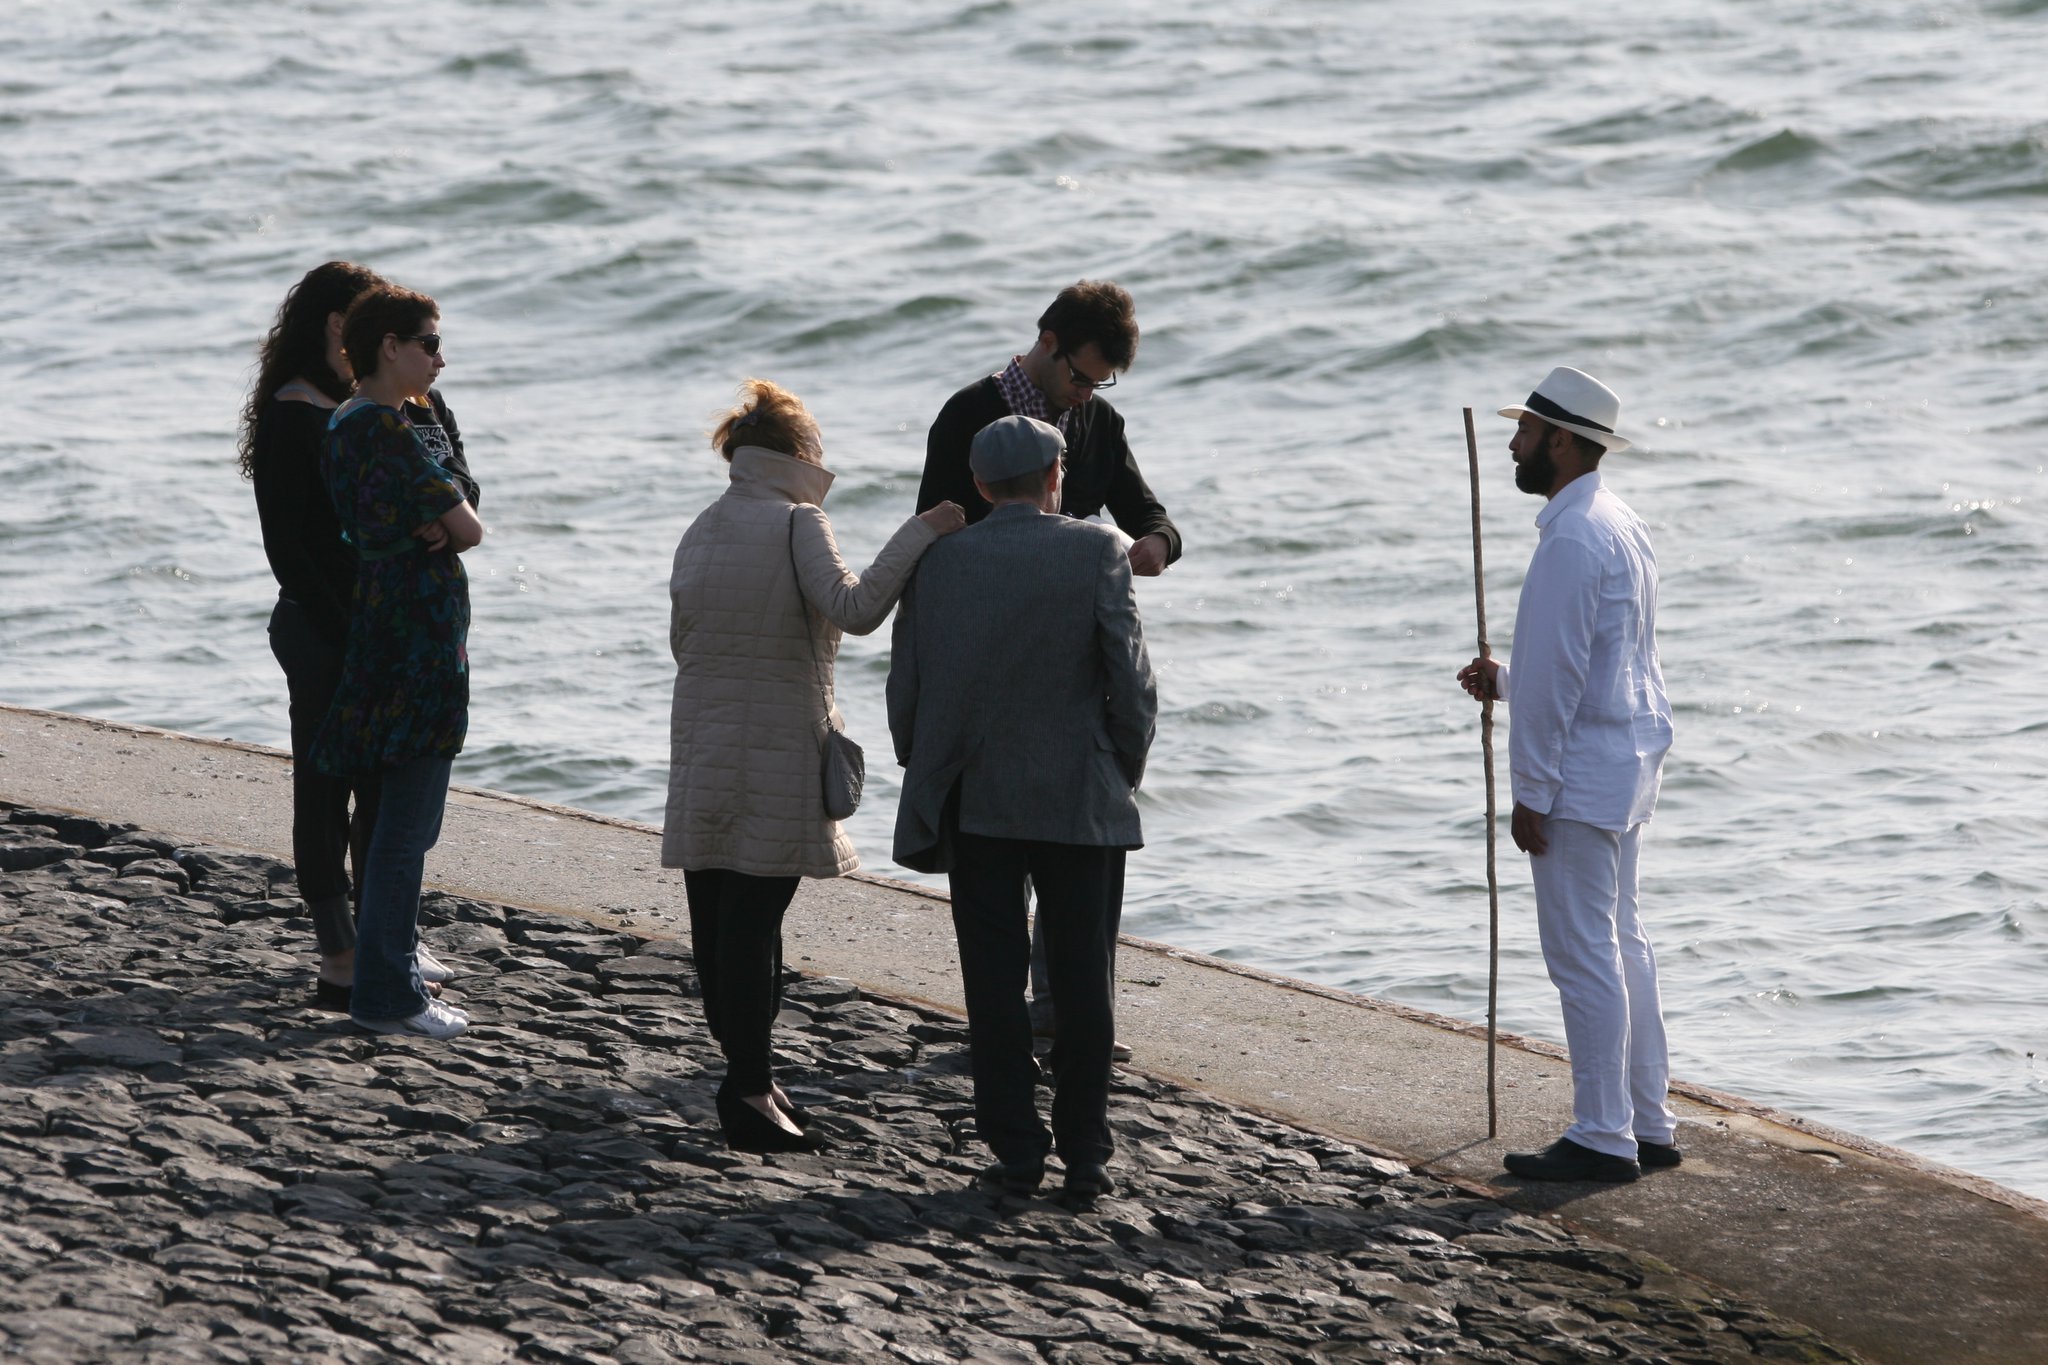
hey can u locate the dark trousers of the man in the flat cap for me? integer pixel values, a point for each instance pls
(1080, 904)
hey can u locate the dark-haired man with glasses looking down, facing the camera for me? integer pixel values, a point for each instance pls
(1086, 341)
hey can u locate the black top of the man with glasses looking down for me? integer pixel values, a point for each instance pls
(1101, 468)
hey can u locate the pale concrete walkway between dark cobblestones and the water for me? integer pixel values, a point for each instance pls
(1900, 1260)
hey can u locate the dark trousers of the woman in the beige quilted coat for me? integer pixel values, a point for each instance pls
(736, 934)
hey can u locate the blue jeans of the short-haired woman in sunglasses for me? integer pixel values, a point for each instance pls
(388, 924)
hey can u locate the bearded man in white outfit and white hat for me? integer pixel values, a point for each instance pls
(1590, 728)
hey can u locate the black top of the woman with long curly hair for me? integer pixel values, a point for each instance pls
(300, 533)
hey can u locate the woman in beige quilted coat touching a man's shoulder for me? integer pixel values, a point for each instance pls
(759, 599)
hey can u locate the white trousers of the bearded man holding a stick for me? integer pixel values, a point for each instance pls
(1607, 977)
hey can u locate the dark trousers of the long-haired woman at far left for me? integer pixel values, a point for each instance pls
(321, 820)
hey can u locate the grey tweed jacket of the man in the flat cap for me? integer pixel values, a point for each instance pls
(1019, 670)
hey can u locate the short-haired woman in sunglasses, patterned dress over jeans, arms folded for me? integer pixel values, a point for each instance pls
(402, 707)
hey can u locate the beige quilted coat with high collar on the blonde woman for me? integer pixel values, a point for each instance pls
(751, 703)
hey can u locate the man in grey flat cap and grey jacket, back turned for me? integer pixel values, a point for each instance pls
(1023, 705)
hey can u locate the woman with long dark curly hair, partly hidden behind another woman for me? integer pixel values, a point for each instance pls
(302, 378)
